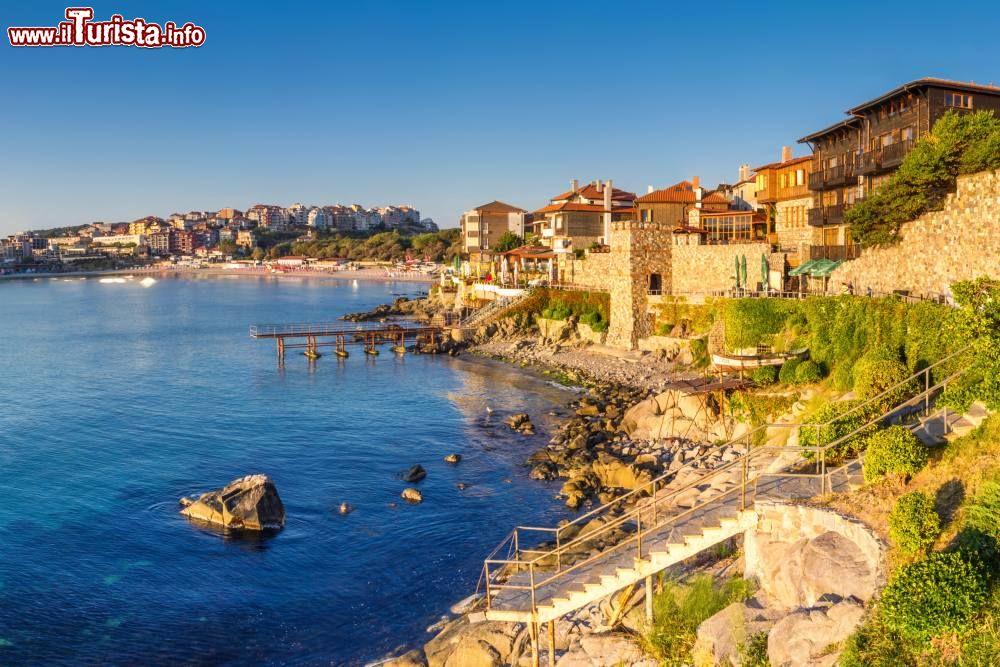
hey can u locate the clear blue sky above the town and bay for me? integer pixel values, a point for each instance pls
(443, 105)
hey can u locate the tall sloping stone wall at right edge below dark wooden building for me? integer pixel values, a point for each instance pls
(960, 242)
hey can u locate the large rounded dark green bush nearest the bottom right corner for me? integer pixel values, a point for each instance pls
(941, 593)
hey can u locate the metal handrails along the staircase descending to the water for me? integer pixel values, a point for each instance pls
(636, 512)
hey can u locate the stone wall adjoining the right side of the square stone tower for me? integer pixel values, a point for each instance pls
(706, 268)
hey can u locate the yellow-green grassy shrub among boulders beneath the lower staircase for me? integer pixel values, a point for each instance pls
(680, 608)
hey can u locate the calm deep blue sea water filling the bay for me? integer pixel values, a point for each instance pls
(116, 399)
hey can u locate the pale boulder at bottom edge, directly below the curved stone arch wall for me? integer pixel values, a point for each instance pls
(810, 637)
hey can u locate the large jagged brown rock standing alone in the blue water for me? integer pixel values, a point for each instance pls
(250, 503)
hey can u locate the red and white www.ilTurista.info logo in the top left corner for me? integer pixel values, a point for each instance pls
(80, 30)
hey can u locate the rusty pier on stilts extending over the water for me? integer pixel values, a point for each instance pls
(310, 336)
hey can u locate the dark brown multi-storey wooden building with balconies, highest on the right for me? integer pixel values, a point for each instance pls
(855, 156)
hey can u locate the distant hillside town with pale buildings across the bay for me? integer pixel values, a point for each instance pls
(201, 236)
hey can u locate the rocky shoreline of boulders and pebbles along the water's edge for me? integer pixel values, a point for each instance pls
(612, 442)
